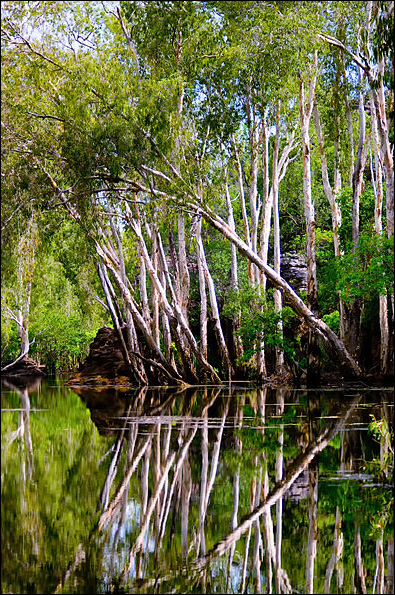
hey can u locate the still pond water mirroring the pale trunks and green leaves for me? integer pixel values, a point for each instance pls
(204, 490)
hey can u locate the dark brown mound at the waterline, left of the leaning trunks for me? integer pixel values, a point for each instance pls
(105, 364)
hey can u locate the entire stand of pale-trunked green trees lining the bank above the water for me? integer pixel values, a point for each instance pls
(154, 144)
